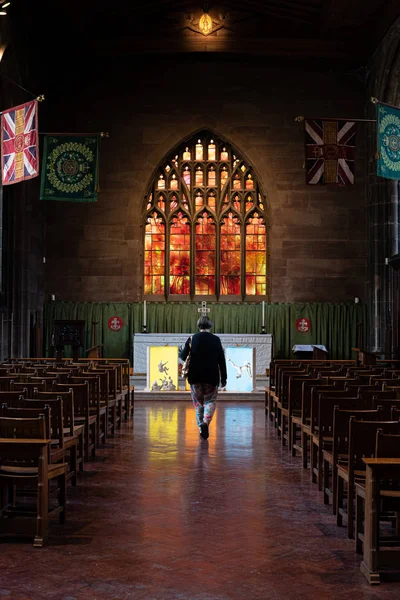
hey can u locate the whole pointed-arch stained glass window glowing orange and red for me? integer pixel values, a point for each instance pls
(205, 225)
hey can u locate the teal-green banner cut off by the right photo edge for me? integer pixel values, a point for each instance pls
(388, 133)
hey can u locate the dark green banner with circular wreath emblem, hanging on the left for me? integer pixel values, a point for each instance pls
(70, 168)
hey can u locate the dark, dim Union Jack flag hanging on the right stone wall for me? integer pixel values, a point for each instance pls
(330, 151)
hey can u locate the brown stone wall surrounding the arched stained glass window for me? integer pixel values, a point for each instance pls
(317, 235)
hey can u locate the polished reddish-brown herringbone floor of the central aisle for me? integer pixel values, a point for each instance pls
(164, 515)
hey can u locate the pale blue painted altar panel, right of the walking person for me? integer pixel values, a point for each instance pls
(240, 369)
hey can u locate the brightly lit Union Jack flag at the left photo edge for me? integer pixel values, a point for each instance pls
(19, 143)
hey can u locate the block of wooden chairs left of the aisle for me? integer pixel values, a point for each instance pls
(47, 433)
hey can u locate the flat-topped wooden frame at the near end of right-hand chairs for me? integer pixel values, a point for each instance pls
(376, 468)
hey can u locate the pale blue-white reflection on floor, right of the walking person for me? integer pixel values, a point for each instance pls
(239, 430)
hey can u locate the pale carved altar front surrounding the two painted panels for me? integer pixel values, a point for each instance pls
(261, 342)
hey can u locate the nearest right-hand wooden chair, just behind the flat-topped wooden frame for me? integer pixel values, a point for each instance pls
(362, 439)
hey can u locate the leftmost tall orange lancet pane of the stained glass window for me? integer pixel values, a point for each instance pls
(154, 255)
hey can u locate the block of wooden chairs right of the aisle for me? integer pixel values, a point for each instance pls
(334, 415)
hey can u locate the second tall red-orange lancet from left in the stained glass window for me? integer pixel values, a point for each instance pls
(179, 255)
